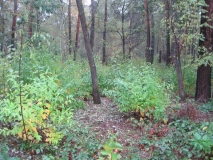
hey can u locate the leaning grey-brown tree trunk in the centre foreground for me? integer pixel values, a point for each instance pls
(95, 91)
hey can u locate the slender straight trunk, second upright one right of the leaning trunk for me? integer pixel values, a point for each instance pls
(104, 34)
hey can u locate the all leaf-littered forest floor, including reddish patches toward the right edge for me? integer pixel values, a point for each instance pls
(105, 120)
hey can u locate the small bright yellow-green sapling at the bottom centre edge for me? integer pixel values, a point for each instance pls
(110, 149)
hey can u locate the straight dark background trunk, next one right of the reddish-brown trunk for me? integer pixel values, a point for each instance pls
(168, 55)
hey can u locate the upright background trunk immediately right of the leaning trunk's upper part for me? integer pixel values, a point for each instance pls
(92, 30)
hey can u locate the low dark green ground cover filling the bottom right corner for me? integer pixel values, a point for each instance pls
(185, 140)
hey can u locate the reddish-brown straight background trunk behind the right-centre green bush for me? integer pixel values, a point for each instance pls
(147, 54)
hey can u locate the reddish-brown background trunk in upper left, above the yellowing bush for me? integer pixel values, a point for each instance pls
(14, 25)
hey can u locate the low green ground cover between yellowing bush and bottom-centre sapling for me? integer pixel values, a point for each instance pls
(80, 143)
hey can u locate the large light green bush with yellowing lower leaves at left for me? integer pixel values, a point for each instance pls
(47, 109)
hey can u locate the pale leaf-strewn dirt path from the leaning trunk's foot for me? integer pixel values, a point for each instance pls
(104, 119)
